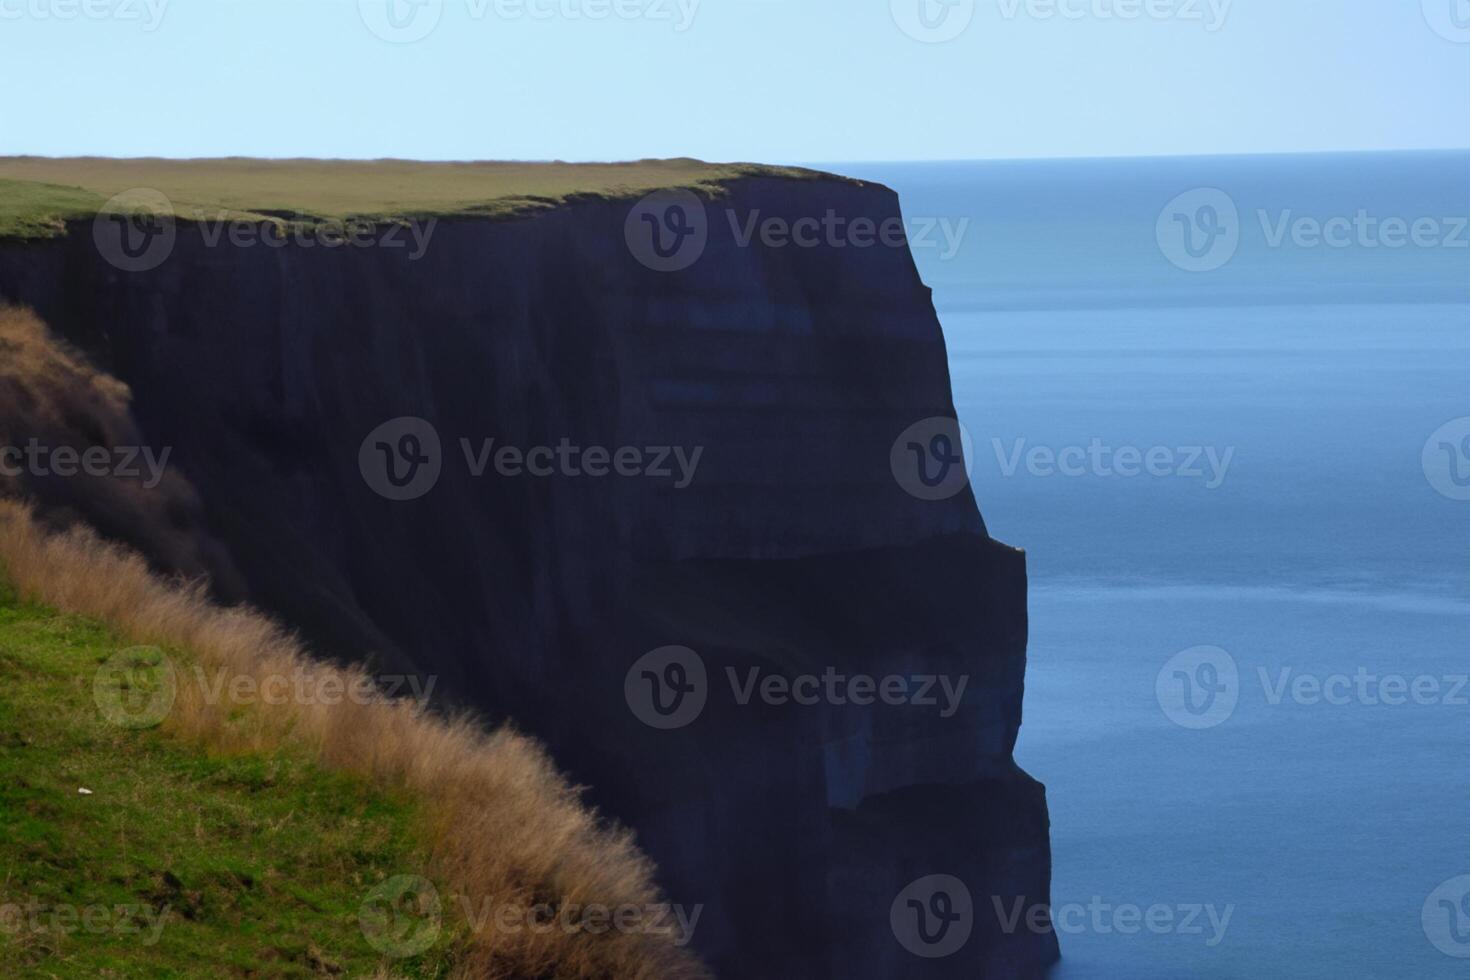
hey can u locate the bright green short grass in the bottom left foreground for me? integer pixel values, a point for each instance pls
(262, 862)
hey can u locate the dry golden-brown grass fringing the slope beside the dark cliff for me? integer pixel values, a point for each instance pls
(502, 825)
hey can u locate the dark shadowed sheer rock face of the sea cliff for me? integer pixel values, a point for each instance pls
(786, 547)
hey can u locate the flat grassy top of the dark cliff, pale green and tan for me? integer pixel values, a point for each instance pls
(39, 195)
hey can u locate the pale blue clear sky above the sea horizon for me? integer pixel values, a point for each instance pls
(731, 80)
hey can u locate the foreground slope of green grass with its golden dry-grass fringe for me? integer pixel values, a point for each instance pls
(277, 826)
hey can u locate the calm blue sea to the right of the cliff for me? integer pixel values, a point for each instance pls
(1325, 547)
